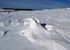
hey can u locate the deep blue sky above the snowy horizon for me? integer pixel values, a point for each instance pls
(35, 4)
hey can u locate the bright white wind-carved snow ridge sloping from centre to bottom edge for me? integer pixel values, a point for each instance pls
(42, 36)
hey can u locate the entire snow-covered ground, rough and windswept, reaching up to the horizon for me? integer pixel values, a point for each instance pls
(35, 30)
